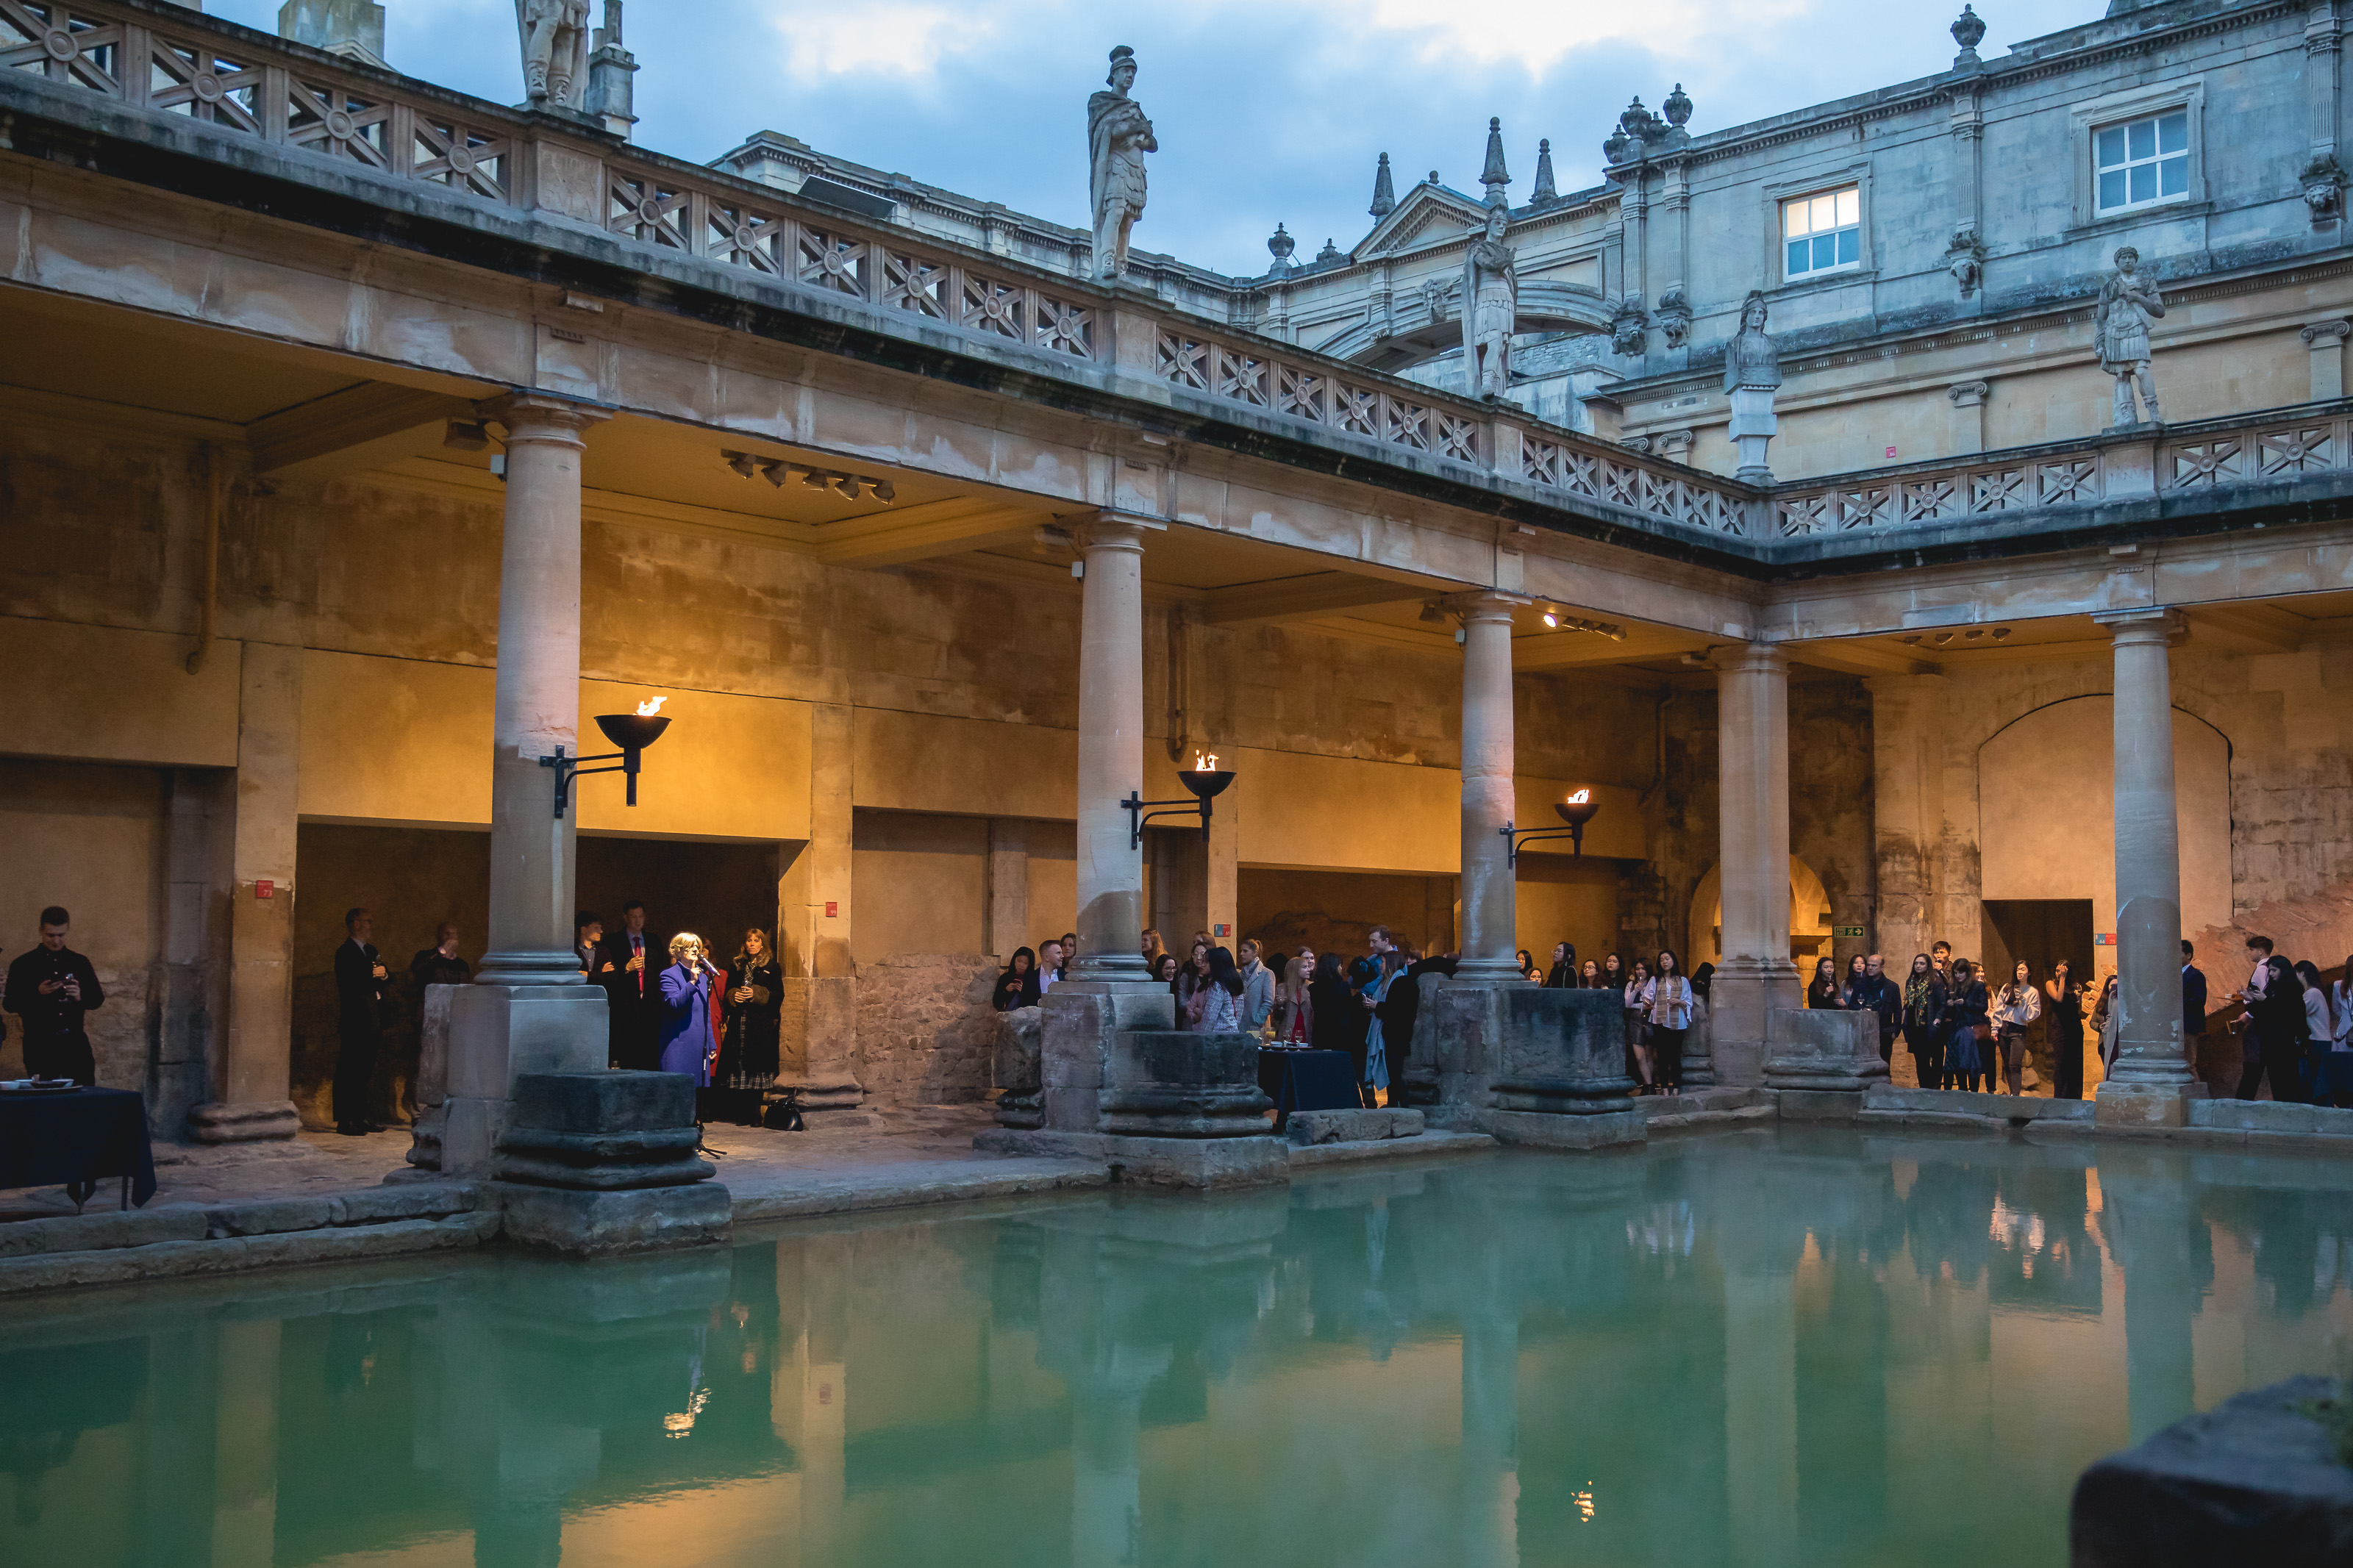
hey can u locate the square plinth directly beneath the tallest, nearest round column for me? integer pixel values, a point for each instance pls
(500, 1033)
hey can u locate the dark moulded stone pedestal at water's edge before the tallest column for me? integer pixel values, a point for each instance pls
(596, 1165)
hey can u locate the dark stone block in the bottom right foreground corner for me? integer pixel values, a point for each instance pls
(2251, 1482)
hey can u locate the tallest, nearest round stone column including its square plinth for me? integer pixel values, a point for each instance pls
(528, 1010)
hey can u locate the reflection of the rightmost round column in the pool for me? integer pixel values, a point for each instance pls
(2154, 1238)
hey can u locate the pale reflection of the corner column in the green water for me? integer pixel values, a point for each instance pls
(1761, 1419)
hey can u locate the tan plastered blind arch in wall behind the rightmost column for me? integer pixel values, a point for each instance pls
(2046, 810)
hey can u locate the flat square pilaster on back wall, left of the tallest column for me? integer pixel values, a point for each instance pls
(251, 1080)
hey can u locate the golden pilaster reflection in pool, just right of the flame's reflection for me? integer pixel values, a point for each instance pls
(811, 1381)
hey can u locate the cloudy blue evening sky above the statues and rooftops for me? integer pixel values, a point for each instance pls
(1267, 109)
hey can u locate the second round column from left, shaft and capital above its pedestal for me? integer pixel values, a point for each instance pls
(1109, 751)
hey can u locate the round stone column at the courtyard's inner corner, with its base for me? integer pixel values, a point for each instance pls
(1757, 972)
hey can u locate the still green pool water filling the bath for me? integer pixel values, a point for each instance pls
(1771, 1348)
